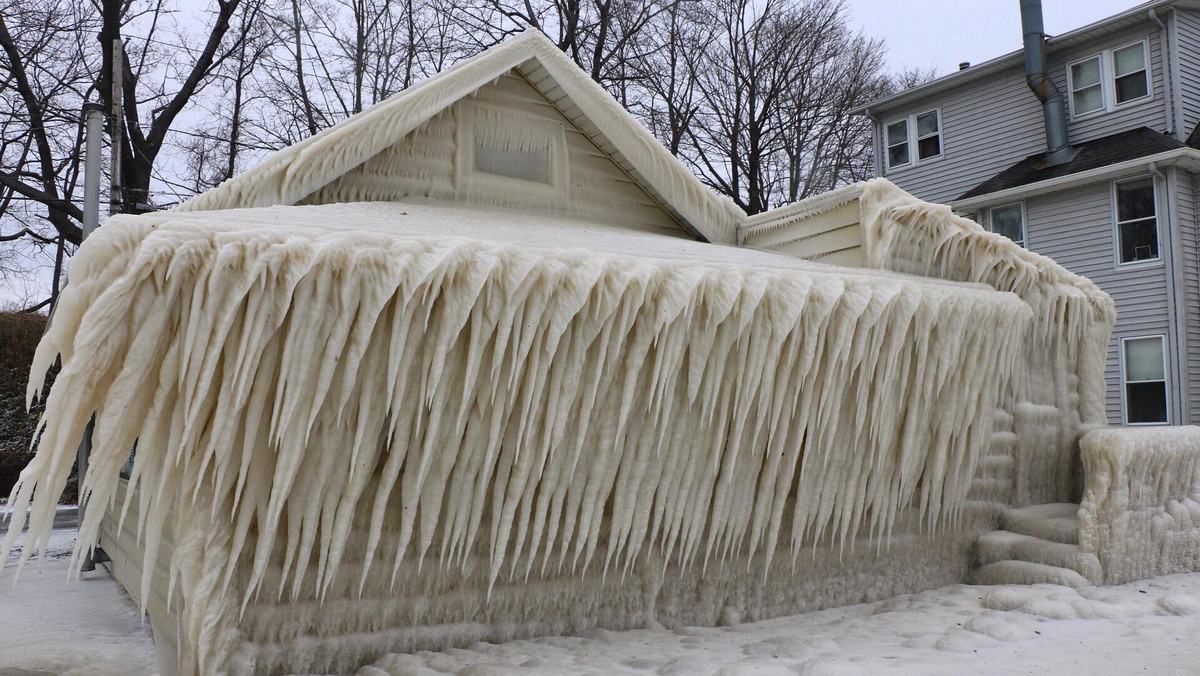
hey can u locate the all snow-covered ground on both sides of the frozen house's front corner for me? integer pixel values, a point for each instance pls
(49, 625)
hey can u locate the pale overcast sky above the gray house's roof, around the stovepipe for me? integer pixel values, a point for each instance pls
(944, 33)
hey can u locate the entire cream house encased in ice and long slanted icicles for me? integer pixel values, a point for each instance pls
(488, 362)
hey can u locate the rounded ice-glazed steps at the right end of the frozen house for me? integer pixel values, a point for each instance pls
(1040, 546)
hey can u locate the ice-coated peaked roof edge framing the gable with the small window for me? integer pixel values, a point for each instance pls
(293, 174)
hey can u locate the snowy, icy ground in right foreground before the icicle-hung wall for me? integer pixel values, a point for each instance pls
(1151, 627)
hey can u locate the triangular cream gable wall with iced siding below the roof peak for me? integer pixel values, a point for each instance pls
(435, 163)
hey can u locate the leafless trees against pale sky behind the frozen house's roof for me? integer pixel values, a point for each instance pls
(754, 95)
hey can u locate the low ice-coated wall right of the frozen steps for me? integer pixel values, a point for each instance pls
(1141, 515)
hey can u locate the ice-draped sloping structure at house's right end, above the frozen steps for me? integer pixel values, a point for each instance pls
(1060, 387)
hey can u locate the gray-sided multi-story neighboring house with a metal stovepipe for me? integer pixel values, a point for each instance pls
(1119, 205)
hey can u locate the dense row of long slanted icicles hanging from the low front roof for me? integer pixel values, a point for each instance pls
(550, 409)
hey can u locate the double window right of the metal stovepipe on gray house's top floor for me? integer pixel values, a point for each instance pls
(1109, 80)
